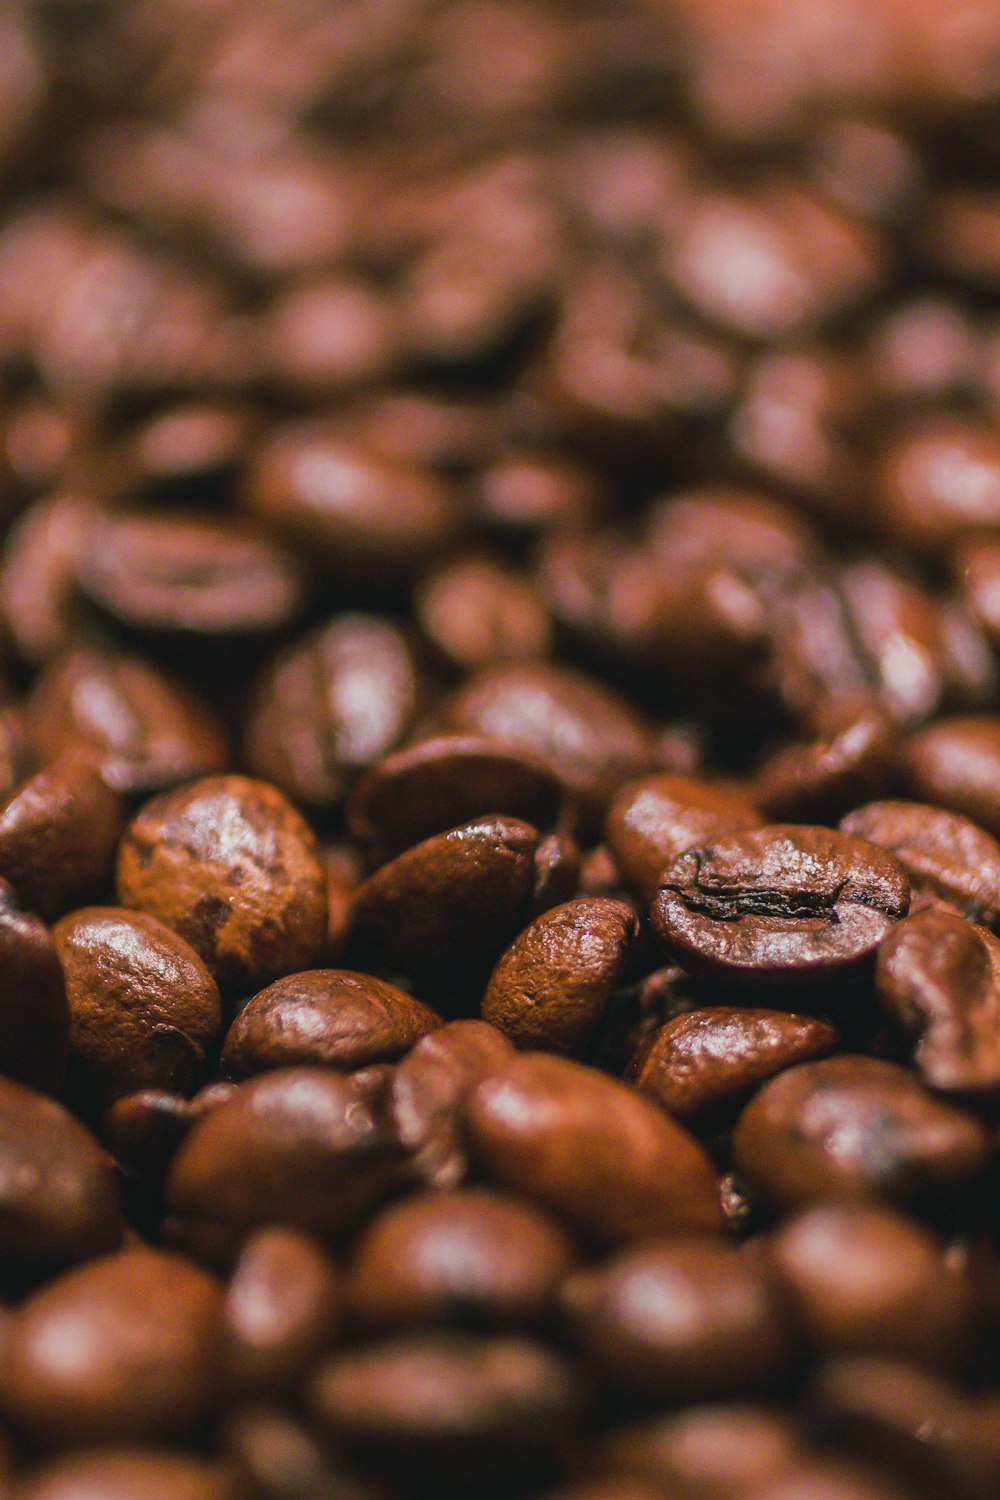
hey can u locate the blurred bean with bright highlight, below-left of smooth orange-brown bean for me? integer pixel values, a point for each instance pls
(475, 1258)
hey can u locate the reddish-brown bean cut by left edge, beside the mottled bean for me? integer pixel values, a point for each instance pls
(59, 833)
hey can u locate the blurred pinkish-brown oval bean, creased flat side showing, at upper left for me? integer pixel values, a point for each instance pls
(178, 574)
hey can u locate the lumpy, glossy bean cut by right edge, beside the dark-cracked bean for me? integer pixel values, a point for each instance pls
(938, 980)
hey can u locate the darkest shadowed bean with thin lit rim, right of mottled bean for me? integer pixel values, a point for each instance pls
(439, 784)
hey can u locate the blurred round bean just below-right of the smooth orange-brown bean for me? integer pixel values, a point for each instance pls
(683, 1321)
